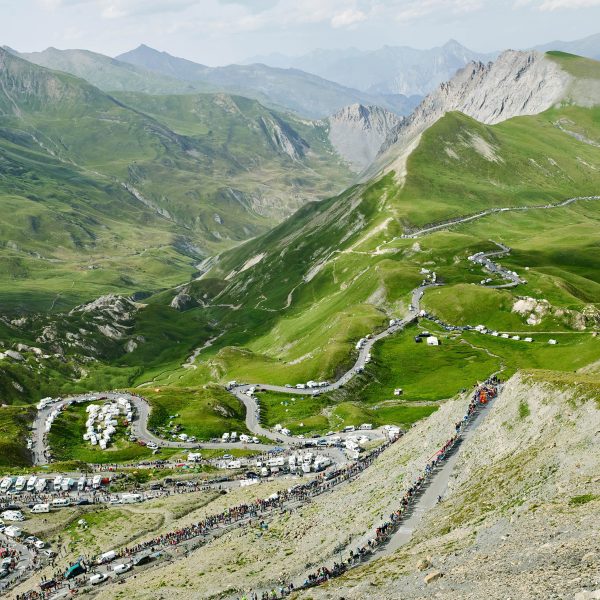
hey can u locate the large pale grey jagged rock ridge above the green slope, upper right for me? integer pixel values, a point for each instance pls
(518, 83)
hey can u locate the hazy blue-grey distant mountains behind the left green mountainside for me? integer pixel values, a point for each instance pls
(150, 71)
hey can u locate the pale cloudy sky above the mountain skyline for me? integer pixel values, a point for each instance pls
(217, 32)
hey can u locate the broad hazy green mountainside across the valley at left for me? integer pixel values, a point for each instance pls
(100, 196)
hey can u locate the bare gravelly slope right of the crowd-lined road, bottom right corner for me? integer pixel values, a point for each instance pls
(521, 517)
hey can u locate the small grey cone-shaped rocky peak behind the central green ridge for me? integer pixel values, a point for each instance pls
(357, 133)
